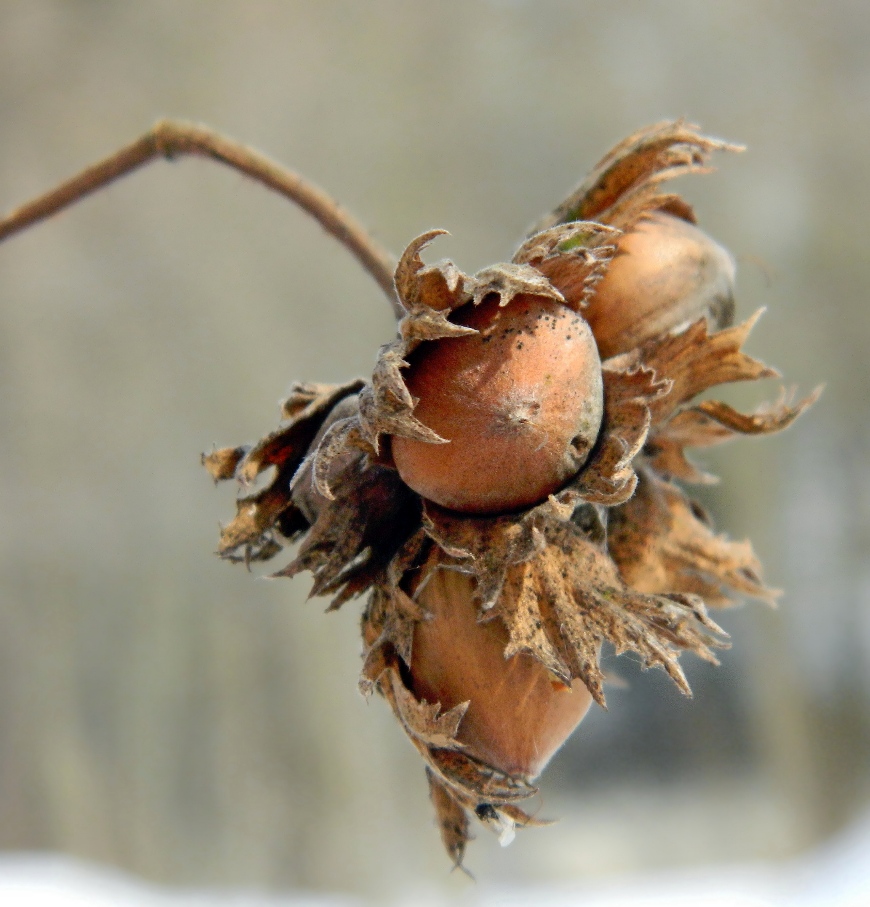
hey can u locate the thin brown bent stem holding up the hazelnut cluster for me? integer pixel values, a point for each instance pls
(169, 139)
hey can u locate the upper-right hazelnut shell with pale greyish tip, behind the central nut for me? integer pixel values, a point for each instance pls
(666, 272)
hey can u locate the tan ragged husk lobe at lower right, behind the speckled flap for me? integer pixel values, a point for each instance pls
(663, 542)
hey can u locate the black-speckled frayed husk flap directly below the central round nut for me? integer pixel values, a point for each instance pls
(560, 595)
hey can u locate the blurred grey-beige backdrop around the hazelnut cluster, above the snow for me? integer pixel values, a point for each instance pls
(171, 715)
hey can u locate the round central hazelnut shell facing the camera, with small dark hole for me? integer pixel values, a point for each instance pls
(520, 403)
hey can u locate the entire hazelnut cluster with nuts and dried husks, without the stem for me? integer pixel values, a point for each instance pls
(507, 487)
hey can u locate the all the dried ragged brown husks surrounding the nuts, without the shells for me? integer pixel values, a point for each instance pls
(619, 554)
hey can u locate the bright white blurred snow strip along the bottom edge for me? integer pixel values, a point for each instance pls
(835, 875)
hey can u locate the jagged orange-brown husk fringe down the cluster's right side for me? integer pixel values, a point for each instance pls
(661, 539)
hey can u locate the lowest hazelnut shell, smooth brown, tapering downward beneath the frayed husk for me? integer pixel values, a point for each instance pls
(518, 715)
